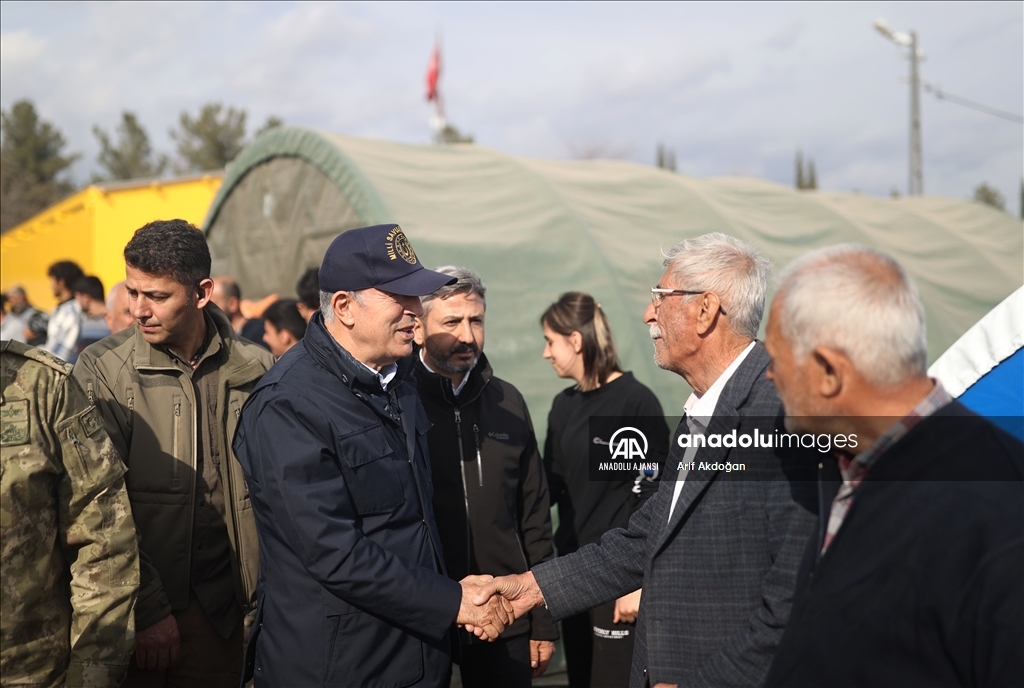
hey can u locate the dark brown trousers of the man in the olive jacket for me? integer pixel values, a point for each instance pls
(206, 658)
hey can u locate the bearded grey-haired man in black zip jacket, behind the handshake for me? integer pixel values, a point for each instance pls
(491, 494)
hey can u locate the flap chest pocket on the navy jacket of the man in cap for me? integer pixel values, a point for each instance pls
(371, 471)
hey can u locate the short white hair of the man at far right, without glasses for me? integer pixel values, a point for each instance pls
(861, 303)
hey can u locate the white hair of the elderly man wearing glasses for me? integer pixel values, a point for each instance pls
(732, 269)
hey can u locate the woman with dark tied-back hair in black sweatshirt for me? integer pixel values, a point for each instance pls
(579, 345)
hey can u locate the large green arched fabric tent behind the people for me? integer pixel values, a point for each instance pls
(535, 229)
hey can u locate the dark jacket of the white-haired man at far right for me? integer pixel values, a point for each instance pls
(924, 583)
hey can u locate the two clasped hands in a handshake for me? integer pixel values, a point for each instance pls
(490, 605)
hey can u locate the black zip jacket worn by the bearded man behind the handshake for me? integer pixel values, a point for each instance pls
(491, 496)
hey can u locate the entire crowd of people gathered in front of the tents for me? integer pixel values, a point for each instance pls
(339, 490)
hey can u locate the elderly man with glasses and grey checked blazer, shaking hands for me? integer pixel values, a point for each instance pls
(717, 549)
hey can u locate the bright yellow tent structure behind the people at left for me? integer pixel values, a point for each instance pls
(93, 227)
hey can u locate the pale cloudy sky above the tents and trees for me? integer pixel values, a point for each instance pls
(734, 89)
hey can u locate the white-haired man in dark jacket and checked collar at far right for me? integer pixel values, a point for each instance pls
(915, 576)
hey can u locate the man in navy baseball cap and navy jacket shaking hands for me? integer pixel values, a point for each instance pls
(353, 587)
